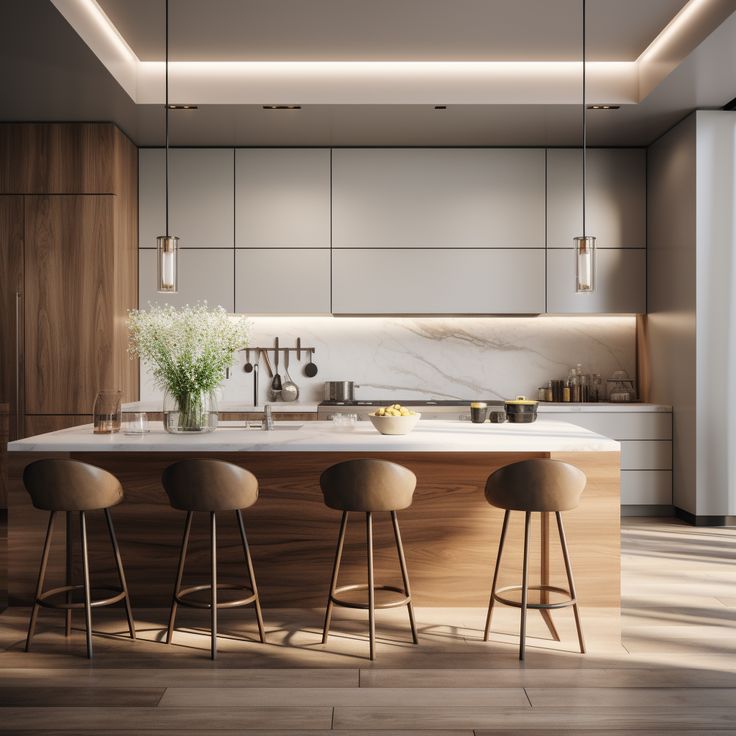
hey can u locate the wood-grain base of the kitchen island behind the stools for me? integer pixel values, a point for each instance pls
(450, 533)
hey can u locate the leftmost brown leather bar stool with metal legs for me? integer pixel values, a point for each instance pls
(58, 485)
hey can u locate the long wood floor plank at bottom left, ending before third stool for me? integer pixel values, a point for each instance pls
(79, 720)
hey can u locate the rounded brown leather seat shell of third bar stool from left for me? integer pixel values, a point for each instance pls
(368, 485)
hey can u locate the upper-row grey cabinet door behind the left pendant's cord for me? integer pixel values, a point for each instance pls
(201, 194)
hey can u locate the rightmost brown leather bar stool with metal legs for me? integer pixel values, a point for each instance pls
(537, 485)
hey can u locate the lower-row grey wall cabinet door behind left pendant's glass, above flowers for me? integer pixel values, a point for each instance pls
(205, 274)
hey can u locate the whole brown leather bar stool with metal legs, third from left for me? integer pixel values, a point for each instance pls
(368, 486)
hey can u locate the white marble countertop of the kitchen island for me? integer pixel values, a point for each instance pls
(428, 436)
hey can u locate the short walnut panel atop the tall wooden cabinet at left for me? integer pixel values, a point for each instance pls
(57, 158)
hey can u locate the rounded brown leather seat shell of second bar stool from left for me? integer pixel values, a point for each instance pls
(202, 484)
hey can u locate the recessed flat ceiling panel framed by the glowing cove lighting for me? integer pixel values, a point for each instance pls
(393, 30)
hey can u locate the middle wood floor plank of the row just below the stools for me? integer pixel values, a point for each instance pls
(369, 697)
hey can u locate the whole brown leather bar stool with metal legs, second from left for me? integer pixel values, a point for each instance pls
(211, 486)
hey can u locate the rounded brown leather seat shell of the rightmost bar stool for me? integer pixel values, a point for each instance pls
(539, 484)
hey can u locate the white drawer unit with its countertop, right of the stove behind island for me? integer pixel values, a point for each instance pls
(646, 449)
